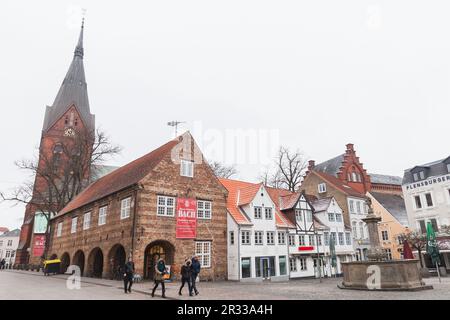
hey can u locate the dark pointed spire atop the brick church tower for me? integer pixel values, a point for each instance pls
(73, 91)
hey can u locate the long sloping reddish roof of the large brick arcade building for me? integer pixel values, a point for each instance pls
(120, 178)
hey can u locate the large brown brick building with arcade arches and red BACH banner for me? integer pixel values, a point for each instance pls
(133, 211)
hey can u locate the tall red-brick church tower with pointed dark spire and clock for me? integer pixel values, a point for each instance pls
(68, 116)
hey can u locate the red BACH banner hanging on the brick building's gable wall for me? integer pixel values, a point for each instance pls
(186, 219)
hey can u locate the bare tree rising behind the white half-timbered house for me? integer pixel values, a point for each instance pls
(290, 168)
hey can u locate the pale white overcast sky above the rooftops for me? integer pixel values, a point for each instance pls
(312, 75)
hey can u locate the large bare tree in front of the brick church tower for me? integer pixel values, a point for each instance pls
(61, 173)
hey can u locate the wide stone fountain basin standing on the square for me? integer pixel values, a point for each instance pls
(392, 275)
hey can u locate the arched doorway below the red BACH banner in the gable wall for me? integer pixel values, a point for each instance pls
(154, 251)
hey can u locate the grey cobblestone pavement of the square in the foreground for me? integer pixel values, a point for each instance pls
(18, 285)
